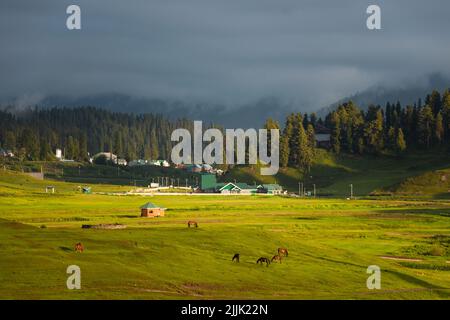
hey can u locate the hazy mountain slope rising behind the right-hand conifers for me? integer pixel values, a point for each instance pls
(380, 95)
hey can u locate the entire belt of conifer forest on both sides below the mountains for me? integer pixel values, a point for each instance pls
(392, 129)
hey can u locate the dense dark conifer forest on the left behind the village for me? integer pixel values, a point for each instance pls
(35, 134)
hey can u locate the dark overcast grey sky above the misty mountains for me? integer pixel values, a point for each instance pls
(227, 51)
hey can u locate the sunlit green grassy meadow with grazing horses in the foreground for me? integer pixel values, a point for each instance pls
(331, 243)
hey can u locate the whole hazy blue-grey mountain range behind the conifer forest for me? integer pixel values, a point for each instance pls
(250, 115)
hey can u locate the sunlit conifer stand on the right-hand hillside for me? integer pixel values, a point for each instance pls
(391, 130)
